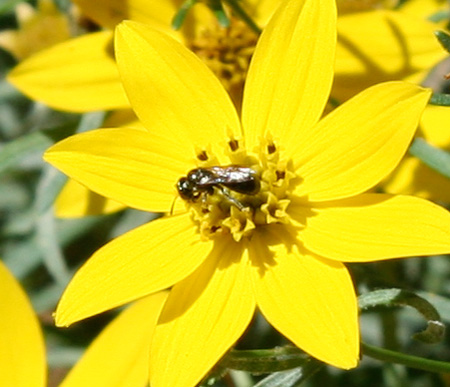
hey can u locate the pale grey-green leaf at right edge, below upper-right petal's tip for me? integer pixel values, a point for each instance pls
(435, 158)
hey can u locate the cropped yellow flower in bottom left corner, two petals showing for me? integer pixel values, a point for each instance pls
(123, 347)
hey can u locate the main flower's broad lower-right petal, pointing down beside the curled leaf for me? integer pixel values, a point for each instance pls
(310, 300)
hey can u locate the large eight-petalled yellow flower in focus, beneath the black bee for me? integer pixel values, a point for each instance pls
(279, 249)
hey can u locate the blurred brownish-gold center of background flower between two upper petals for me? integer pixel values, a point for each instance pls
(227, 52)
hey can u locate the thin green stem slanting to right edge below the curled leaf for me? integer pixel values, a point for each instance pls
(406, 360)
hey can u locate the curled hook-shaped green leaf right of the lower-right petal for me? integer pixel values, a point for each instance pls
(435, 330)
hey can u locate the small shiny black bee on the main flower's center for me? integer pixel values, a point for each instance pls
(201, 182)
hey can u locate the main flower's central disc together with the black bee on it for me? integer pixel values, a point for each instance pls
(252, 190)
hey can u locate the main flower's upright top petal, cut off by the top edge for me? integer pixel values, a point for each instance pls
(290, 75)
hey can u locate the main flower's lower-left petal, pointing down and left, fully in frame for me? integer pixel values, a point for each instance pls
(142, 261)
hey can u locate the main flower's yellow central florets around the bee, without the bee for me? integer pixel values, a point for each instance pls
(222, 211)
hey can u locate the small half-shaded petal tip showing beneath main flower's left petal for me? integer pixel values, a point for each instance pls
(76, 201)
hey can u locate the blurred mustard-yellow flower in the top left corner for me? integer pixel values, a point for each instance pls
(38, 29)
